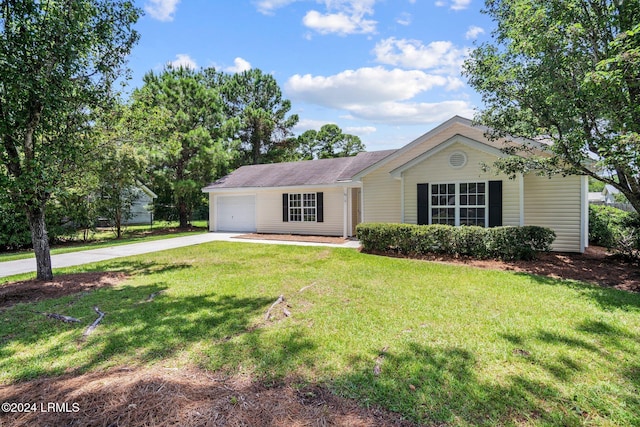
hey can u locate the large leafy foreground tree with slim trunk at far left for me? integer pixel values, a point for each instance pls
(58, 60)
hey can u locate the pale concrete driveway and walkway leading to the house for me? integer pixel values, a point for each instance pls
(10, 268)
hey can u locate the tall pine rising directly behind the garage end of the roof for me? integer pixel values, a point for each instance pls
(255, 100)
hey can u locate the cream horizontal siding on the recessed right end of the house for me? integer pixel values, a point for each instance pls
(556, 203)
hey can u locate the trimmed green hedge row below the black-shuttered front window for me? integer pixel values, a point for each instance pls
(508, 243)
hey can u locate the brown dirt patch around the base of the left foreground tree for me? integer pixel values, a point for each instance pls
(28, 291)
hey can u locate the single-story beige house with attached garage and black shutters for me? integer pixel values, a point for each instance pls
(437, 178)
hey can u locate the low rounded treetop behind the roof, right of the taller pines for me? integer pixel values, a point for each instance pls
(328, 142)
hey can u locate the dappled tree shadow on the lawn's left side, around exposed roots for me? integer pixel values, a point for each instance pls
(141, 324)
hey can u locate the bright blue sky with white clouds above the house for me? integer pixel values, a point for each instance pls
(385, 70)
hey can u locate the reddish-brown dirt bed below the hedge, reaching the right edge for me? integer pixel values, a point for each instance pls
(595, 266)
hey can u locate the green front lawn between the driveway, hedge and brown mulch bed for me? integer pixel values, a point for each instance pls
(455, 345)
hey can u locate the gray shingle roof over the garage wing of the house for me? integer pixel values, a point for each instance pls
(309, 172)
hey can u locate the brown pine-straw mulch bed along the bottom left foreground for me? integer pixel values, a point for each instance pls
(184, 397)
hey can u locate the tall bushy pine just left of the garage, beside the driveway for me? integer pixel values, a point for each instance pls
(179, 114)
